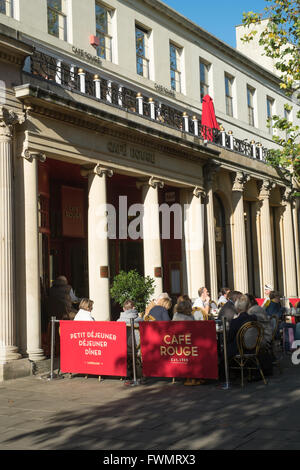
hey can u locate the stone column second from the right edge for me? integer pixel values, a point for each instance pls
(265, 233)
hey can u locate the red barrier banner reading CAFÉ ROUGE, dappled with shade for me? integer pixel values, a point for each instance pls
(179, 349)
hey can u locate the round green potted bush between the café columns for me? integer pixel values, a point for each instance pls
(132, 286)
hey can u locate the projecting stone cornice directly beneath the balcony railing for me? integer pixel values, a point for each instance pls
(46, 103)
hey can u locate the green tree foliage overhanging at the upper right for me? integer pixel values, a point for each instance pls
(281, 41)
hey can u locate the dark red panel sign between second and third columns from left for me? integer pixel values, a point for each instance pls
(72, 200)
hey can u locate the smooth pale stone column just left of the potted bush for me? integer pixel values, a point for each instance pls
(98, 242)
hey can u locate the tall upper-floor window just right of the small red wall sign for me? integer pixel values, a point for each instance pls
(103, 30)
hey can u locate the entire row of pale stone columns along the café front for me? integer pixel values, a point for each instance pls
(98, 246)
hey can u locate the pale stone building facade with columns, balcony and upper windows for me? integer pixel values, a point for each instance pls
(100, 103)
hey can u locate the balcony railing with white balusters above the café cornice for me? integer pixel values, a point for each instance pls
(152, 108)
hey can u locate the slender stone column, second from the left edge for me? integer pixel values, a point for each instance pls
(32, 275)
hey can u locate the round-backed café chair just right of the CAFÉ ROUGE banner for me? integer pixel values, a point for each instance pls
(248, 340)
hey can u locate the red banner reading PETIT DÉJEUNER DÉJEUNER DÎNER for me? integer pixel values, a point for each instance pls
(96, 348)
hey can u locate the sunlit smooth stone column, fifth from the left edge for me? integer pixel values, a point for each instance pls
(194, 241)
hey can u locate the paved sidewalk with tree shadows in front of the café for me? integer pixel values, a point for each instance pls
(84, 414)
